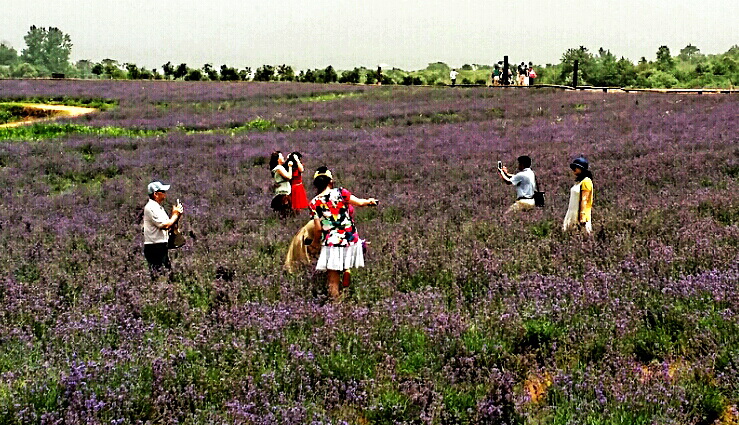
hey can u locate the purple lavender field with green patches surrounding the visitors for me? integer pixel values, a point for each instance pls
(463, 315)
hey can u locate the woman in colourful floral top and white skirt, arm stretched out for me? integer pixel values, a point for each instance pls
(341, 247)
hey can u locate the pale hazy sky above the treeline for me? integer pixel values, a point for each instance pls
(345, 34)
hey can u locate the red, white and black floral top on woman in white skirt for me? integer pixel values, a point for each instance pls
(333, 211)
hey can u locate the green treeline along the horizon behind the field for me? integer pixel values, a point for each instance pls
(47, 54)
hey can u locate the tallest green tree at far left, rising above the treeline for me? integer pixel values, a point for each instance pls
(47, 48)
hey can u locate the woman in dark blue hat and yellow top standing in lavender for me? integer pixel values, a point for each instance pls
(581, 198)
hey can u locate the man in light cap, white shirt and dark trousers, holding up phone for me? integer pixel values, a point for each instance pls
(156, 228)
